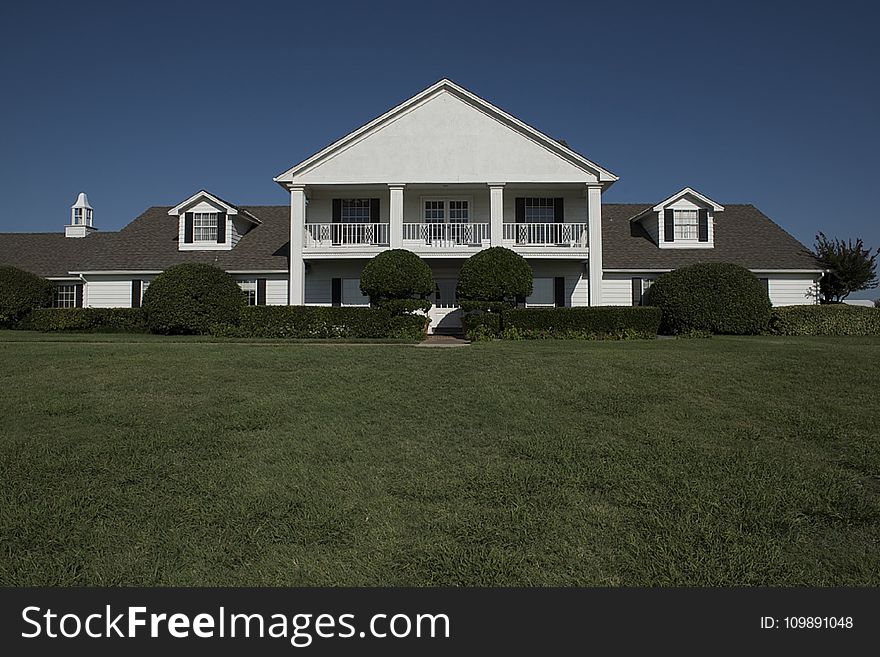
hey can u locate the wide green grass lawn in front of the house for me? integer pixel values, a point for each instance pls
(728, 461)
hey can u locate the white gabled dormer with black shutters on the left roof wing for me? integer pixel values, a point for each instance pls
(208, 223)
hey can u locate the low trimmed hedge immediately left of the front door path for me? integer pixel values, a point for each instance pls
(321, 322)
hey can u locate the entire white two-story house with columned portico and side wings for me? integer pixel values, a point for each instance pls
(444, 174)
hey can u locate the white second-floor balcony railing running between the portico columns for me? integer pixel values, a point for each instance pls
(445, 237)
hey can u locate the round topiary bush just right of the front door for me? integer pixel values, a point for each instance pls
(492, 277)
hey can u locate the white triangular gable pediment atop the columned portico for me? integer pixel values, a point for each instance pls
(445, 134)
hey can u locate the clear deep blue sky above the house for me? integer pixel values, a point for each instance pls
(139, 104)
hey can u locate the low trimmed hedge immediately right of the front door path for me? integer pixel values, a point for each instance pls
(588, 323)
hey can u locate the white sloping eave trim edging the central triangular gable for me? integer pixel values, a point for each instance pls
(562, 150)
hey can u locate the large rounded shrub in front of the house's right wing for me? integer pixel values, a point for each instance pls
(719, 297)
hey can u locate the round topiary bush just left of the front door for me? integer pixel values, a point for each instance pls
(399, 281)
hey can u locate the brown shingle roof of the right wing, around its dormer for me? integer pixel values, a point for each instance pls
(743, 235)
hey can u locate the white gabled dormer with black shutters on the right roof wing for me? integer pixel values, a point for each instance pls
(685, 220)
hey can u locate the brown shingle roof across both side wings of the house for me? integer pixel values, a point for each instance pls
(742, 235)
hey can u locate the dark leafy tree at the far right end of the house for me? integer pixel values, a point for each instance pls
(850, 267)
